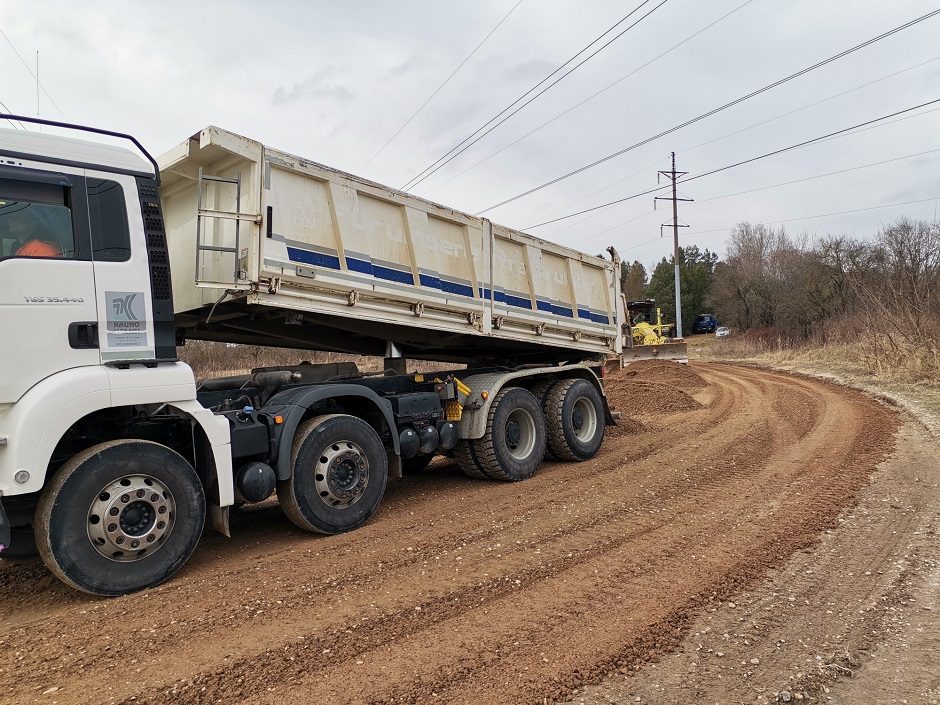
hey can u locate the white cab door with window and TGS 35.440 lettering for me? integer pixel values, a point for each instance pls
(48, 310)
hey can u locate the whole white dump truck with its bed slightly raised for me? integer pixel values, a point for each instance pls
(113, 456)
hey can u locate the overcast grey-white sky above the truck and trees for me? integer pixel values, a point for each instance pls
(333, 81)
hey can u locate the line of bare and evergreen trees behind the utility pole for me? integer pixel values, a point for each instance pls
(797, 286)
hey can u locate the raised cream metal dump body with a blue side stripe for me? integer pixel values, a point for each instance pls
(316, 258)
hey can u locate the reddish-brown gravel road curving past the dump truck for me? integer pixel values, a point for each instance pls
(477, 592)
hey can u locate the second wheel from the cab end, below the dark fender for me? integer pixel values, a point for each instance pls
(339, 475)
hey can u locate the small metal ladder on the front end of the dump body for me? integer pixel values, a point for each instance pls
(205, 215)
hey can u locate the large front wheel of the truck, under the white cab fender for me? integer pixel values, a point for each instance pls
(120, 516)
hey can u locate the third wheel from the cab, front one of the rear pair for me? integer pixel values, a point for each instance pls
(514, 444)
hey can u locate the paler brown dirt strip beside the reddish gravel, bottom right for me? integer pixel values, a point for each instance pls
(861, 599)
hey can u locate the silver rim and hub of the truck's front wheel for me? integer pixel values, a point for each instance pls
(131, 517)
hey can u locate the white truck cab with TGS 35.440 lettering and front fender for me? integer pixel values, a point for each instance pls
(86, 302)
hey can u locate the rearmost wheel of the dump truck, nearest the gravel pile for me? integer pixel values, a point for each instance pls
(574, 414)
